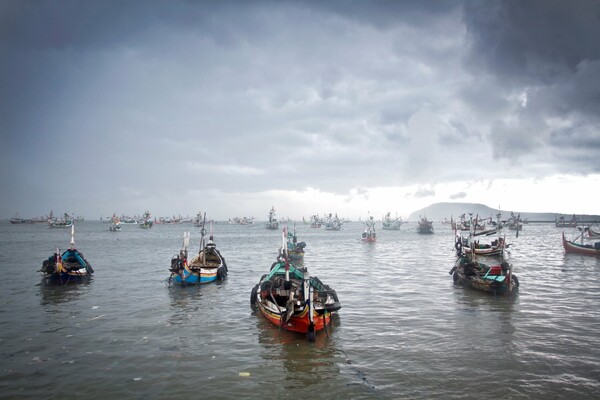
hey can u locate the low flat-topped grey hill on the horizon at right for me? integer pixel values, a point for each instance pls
(446, 210)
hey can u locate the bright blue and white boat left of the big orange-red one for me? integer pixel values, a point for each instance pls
(207, 266)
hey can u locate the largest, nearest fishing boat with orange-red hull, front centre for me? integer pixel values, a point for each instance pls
(293, 300)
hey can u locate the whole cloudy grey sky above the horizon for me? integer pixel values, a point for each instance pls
(350, 107)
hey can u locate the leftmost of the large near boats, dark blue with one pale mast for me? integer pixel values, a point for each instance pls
(70, 266)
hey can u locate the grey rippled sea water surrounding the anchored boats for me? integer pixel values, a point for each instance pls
(405, 330)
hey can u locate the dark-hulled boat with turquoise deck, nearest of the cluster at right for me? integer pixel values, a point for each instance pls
(495, 279)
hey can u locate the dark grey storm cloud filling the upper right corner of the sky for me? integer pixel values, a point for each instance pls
(544, 55)
